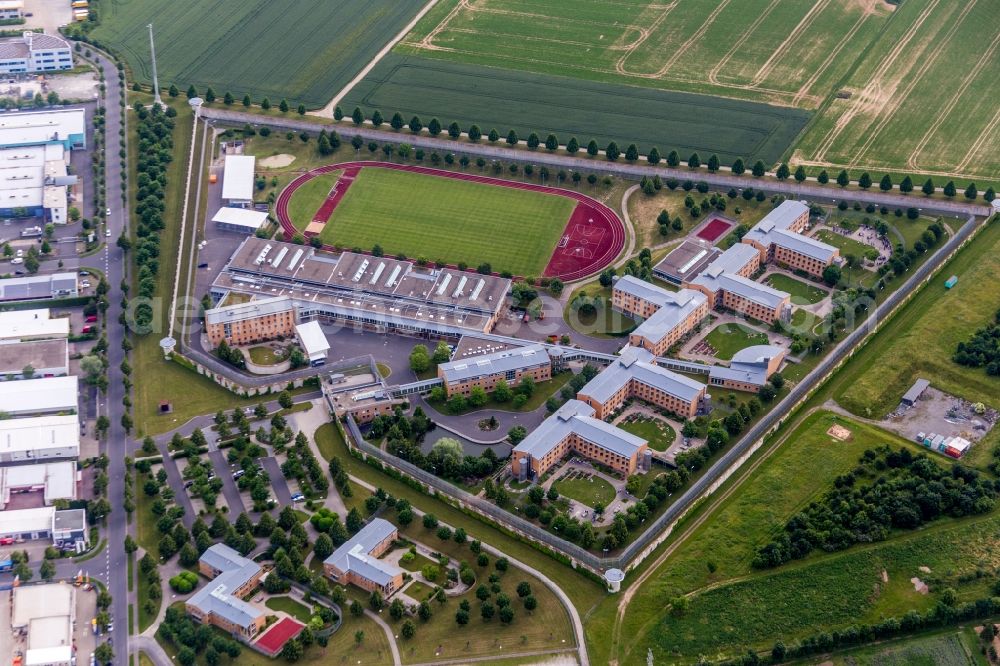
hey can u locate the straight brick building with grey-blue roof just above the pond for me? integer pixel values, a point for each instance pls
(511, 365)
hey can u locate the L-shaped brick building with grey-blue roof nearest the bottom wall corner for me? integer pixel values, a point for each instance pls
(575, 428)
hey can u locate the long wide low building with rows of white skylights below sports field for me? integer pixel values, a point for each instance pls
(374, 293)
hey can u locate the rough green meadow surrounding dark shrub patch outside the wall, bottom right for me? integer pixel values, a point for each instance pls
(734, 607)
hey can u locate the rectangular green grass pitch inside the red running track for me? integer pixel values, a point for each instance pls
(444, 219)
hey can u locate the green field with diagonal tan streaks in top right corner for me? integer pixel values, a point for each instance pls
(930, 50)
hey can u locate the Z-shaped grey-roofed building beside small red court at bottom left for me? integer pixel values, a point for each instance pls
(220, 602)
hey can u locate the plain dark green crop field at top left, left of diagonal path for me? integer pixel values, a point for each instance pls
(304, 51)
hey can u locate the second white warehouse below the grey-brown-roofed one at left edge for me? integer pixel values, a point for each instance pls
(40, 438)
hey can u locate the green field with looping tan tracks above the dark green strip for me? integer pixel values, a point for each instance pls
(789, 53)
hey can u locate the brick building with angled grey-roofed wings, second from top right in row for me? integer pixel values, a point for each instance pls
(727, 285)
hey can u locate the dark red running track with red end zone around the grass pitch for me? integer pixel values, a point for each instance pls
(593, 237)
